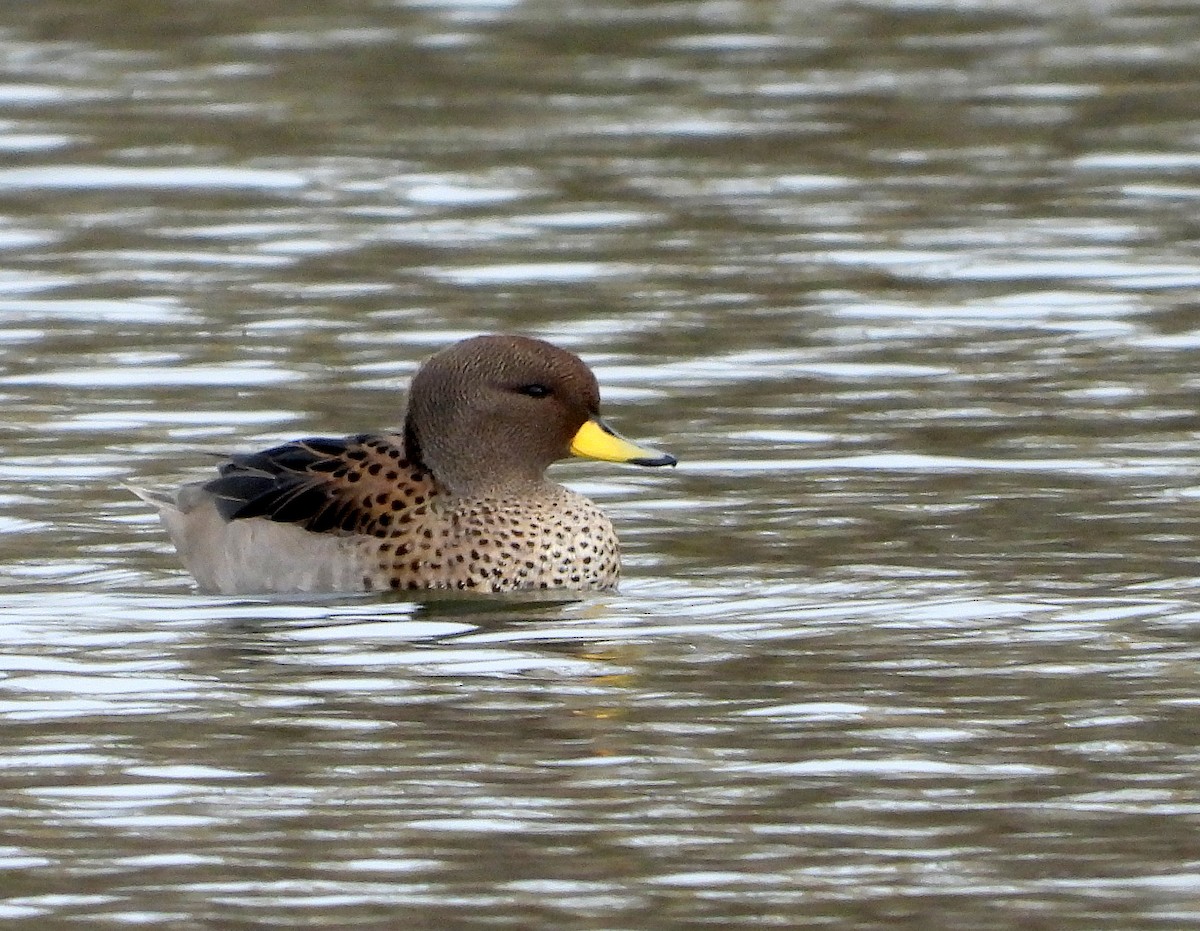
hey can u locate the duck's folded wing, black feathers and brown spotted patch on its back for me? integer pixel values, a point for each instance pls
(353, 484)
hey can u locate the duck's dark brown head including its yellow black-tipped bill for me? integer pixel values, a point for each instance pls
(495, 412)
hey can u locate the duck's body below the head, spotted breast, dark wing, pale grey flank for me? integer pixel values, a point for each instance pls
(358, 515)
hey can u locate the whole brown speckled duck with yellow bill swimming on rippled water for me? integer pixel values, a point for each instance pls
(455, 501)
